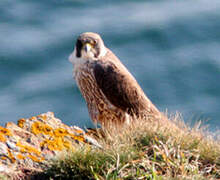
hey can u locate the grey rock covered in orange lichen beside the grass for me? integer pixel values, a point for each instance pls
(33, 141)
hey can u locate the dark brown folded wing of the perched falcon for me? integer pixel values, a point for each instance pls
(119, 88)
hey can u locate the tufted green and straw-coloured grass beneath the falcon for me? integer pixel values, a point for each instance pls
(145, 150)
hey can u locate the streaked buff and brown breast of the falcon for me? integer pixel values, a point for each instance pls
(98, 105)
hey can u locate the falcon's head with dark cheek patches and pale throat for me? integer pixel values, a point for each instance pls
(89, 46)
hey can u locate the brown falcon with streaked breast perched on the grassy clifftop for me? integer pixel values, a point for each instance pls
(112, 94)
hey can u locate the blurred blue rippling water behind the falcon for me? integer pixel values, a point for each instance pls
(172, 48)
